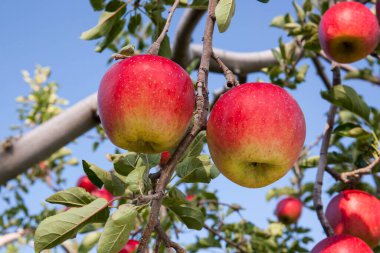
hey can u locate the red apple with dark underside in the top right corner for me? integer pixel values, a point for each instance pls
(348, 32)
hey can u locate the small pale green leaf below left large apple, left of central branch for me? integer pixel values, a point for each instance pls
(138, 180)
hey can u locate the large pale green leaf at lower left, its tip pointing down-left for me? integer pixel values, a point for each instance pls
(58, 228)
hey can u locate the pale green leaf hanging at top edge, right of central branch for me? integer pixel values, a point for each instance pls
(224, 12)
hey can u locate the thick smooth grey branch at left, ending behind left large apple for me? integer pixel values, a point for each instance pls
(46, 139)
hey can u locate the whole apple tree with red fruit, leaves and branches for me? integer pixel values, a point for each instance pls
(174, 136)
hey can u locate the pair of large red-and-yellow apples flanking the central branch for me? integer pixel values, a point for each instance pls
(255, 131)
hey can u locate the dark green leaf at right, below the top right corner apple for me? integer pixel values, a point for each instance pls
(346, 97)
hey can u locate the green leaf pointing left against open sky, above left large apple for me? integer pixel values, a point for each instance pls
(105, 24)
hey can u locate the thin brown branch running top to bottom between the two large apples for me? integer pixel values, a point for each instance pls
(200, 123)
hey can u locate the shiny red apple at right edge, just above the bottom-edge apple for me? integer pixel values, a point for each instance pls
(356, 213)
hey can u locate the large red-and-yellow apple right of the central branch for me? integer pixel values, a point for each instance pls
(255, 133)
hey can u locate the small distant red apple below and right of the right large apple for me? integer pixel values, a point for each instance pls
(289, 210)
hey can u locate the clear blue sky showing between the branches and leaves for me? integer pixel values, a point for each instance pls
(47, 33)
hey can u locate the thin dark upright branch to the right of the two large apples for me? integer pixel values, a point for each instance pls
(322, 164)
